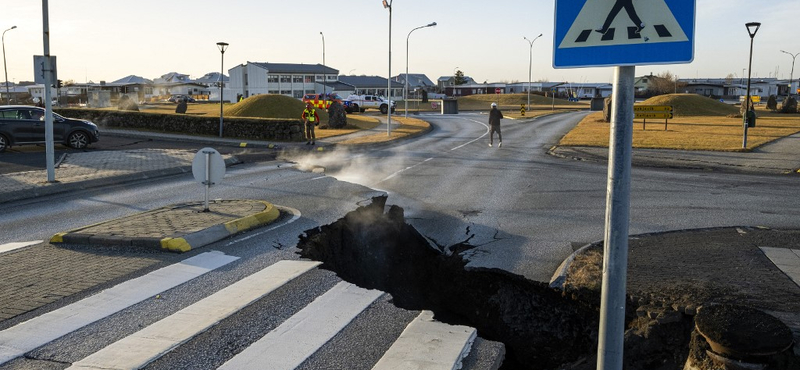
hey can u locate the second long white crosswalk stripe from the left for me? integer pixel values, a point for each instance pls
(145, 346)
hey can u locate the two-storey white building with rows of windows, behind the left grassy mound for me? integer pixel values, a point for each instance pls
(296, 80)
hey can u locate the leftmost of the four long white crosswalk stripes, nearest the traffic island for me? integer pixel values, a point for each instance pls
(34, 333)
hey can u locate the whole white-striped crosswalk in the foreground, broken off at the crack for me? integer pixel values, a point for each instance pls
(312, 336)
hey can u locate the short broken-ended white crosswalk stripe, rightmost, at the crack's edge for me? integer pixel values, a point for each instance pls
(428, 344)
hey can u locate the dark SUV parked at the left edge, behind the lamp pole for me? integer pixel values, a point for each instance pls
(22, 124)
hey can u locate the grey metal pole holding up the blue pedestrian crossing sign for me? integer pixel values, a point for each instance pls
(615, 259)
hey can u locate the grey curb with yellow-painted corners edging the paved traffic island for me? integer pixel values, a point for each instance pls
(182, 244)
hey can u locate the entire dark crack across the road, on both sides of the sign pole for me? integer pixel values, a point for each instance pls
(542, 327)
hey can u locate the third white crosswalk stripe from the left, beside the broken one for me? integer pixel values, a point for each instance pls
(303, 334)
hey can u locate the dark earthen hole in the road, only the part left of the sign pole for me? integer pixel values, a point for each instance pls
(538, 325)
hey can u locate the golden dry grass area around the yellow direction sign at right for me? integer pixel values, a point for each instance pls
(717, 133)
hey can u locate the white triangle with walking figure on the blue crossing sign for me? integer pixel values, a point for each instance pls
(594, 13)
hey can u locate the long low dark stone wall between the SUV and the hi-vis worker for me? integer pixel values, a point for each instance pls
(234, 127)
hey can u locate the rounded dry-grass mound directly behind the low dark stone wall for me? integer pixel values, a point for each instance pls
(267, 106)
